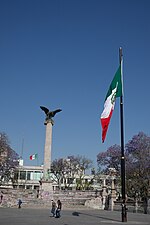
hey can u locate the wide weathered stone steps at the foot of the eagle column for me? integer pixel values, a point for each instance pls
(29, 199)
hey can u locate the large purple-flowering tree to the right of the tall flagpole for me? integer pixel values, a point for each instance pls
(138, 165)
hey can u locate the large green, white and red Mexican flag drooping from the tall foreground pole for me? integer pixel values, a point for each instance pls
(115, 90)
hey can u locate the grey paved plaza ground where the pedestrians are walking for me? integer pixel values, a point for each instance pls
(26, 216)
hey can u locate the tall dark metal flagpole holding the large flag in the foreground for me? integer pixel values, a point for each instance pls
(124, 209)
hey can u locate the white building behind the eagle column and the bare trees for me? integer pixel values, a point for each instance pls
(30, 177)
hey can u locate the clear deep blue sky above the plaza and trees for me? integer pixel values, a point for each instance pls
(64, 54)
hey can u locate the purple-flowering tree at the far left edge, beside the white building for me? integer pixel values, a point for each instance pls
(8, 160)
